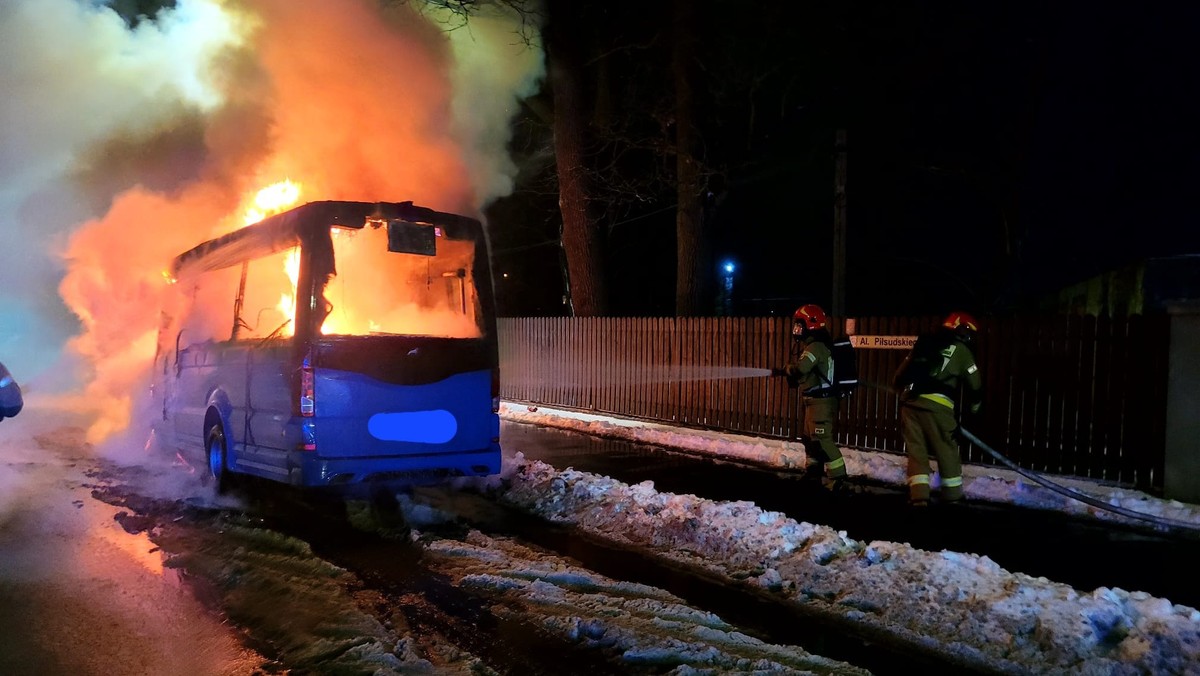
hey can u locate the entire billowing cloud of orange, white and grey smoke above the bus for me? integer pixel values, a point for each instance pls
(127, 146)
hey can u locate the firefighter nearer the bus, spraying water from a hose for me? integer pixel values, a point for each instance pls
(812, 370)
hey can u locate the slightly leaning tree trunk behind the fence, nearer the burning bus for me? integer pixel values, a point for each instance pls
(581, 238)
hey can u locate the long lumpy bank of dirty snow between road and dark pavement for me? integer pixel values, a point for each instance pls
(964, 607)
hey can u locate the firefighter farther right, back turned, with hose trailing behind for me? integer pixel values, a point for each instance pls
(929, 381)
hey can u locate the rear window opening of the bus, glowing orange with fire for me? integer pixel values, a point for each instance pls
(380, 292)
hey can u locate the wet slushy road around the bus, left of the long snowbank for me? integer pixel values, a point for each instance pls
(136, 569)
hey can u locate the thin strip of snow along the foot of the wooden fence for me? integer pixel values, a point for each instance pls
(983, 483)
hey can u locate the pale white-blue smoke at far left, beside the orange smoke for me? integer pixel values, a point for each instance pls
(75, 75)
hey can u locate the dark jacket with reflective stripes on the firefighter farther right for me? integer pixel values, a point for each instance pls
(939, 368)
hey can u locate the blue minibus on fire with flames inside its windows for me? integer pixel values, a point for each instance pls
(338, 344)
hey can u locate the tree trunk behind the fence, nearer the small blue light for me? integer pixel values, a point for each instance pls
(694, 272)
